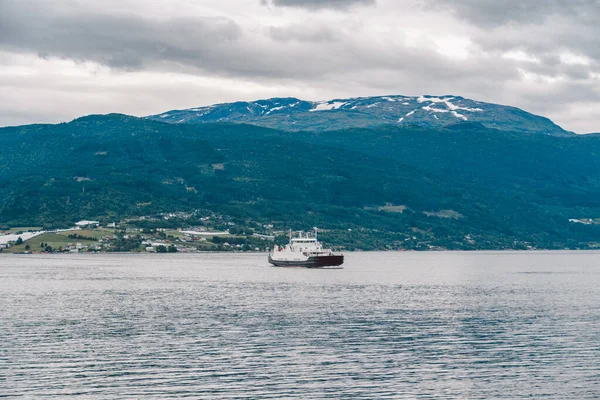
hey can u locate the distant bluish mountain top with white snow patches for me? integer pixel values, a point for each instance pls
(425, 111)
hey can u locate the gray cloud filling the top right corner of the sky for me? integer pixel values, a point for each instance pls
(541, 28)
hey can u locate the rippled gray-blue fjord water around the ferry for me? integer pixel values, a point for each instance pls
(388, 325)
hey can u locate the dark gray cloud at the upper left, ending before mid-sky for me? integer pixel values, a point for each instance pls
(121, 41)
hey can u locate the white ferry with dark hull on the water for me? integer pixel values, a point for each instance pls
(304, 251)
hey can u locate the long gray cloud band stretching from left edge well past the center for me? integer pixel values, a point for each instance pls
(218, 46)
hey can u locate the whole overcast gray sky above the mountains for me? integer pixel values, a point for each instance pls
(60, 59)
